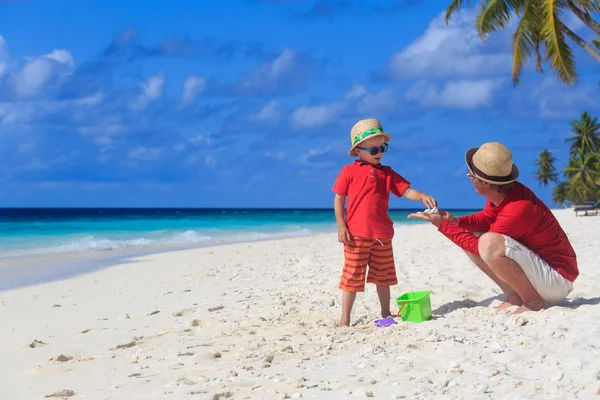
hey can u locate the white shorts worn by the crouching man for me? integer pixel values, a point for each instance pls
(550, 285)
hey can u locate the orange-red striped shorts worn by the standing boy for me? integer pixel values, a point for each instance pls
(377, 254)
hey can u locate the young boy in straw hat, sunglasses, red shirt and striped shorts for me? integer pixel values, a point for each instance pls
(368, 230)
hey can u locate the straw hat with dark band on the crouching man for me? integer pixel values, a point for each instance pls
(492, 163)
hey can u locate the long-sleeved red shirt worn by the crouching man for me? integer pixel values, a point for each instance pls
(526, 219)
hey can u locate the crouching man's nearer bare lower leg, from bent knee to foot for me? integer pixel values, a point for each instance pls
(493, 253)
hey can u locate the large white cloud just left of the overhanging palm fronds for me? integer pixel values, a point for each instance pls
(449, 51)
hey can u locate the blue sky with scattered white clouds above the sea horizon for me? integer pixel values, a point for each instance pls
(249, 103)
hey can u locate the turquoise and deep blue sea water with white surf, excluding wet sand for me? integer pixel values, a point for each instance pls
(43, 231)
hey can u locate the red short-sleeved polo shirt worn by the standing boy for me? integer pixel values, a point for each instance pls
(368, 190)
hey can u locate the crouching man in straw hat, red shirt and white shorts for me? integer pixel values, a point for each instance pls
(516, 239)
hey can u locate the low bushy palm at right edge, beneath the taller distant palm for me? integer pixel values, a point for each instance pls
(582, 174)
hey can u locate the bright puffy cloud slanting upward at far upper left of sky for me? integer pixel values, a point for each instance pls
(39, 72)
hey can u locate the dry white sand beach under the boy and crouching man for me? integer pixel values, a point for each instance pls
(256, 321)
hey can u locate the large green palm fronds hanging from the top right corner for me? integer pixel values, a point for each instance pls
(541, 25)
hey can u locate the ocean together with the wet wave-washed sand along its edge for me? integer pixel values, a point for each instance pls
(52, 243)
